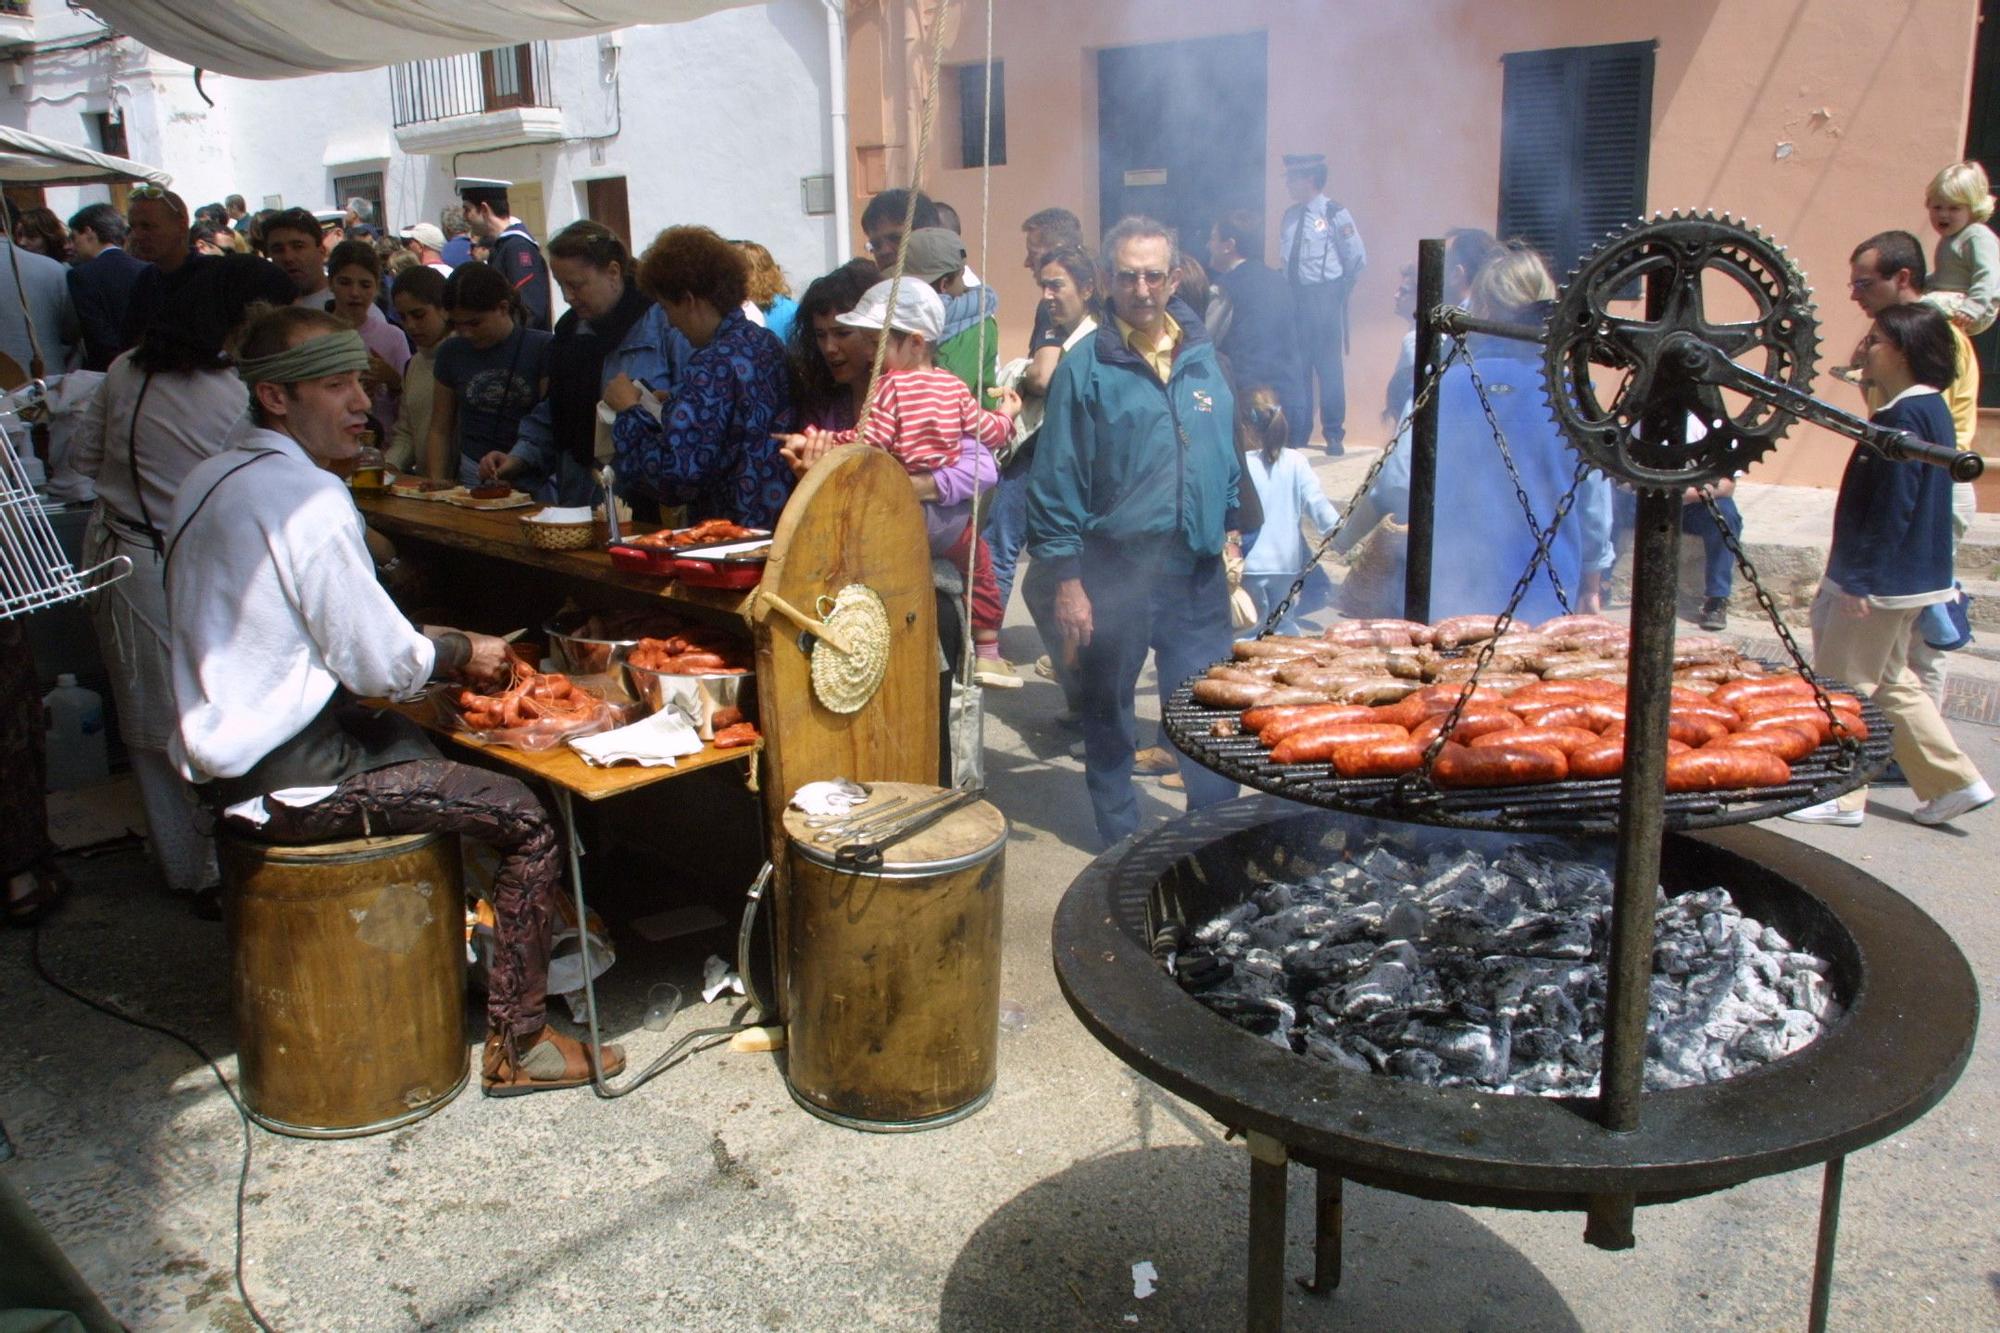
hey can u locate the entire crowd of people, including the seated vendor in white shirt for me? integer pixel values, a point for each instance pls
(1145, 455)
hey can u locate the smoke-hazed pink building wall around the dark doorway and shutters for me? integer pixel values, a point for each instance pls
(1405, 99)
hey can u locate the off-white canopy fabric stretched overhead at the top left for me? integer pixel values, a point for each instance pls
(285, 39)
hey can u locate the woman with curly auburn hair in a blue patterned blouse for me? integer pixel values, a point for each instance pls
(713, 449)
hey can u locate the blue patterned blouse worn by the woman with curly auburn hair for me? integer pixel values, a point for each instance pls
(713, 449)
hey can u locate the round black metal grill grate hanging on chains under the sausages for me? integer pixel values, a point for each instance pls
(1551, 808)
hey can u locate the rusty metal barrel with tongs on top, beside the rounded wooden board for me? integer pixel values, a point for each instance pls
(895, 974)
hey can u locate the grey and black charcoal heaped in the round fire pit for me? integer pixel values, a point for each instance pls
(1465, 970)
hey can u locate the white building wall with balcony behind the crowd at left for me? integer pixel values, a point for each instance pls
(713, 121)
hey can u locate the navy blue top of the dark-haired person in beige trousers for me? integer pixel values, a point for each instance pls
(1893, 521)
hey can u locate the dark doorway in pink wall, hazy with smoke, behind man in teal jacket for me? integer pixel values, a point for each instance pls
(1181, 133)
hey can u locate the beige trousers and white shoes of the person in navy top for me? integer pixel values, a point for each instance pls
(1873, 653)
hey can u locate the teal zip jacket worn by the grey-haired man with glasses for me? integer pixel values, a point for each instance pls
(1133, 461)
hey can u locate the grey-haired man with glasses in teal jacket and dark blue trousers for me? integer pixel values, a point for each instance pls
(1131, 495)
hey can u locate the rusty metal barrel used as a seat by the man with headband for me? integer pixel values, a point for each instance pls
(349, 982)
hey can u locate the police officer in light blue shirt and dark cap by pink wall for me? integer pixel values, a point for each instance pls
(1323, 257)
